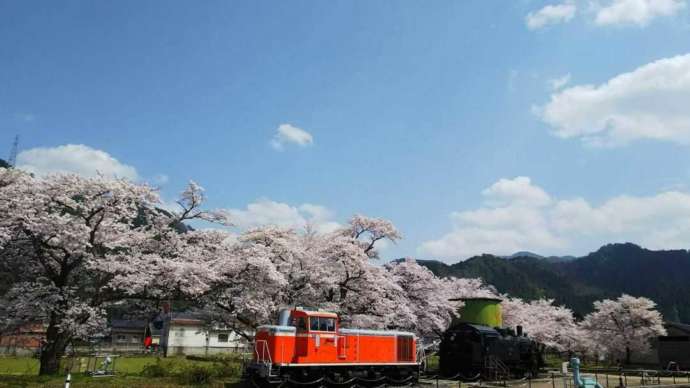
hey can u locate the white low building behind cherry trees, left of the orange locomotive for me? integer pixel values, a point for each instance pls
(184, 334)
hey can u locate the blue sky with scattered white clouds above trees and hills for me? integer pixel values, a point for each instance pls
(440, 116)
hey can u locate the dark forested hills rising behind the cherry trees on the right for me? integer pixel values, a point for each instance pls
(663, 276)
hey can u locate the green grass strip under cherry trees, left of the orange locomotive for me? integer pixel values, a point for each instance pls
(131, 372)
